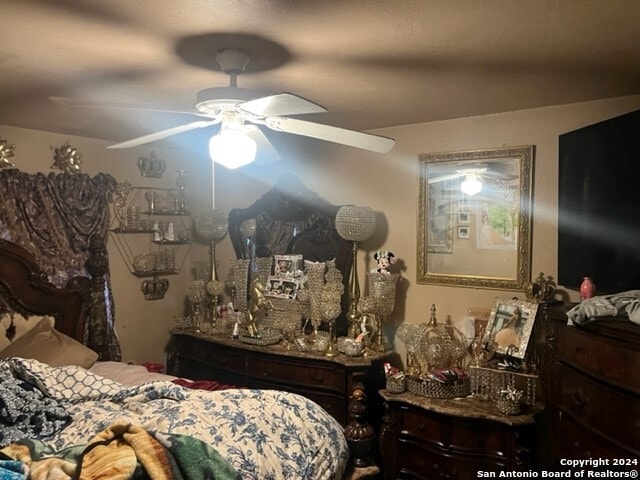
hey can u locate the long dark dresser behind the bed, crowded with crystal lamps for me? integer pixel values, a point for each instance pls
(329, 381)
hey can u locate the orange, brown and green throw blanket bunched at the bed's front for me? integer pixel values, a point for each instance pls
(122, 451)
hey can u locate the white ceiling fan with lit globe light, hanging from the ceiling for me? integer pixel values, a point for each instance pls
(240, 117)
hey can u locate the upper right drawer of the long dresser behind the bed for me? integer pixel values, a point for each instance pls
(289, 372)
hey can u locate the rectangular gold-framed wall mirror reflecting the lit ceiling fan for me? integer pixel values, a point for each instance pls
(474, 218)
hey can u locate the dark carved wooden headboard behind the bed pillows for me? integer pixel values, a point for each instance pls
(26, 290)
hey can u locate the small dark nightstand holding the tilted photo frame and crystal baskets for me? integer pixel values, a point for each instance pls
(431, 438)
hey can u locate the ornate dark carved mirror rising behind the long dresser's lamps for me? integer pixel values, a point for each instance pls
(290, 218)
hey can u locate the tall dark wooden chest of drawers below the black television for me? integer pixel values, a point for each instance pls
(591, 382)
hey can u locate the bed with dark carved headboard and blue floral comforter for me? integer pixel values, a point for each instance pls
(59, 411)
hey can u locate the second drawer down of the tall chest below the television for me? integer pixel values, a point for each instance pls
(591, 401)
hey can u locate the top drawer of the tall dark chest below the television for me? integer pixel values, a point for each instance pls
(605, 358)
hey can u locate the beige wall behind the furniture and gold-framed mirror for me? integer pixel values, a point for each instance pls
(386, 183)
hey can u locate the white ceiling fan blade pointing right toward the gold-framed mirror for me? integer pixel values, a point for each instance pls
(366, 141)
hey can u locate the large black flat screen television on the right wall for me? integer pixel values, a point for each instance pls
(599, 205)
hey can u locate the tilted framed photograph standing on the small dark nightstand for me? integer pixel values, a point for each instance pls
(510, 326)
